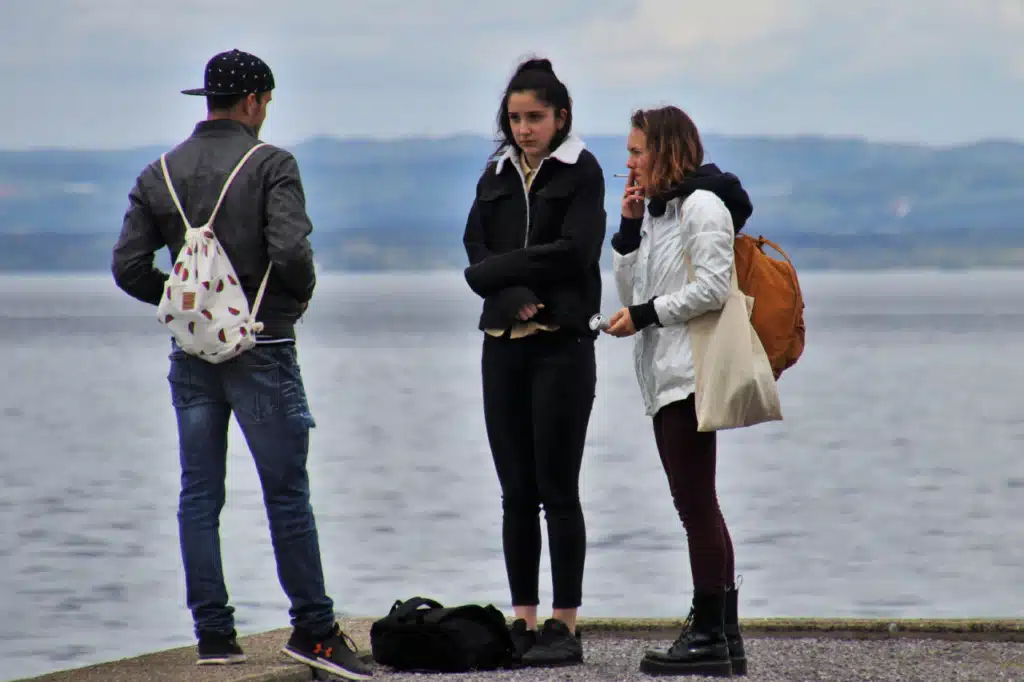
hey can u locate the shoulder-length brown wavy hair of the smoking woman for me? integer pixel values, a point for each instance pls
(674, 144)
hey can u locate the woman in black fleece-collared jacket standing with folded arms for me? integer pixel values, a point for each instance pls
(534, 239)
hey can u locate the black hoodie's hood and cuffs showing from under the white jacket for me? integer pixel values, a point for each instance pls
(726, 186)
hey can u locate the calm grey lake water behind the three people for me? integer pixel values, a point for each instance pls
(895, 487)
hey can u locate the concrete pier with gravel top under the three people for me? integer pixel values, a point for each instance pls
(778, 650)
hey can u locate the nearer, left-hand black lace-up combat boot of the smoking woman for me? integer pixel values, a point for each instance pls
(701, 648)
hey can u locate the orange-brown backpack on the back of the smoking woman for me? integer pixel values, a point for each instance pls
(779, 304)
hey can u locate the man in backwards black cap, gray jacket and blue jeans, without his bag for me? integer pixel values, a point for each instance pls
(263, 222)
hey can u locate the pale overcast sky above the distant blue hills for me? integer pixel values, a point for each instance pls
(103, 74)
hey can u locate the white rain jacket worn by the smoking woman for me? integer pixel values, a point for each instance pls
(702, 227)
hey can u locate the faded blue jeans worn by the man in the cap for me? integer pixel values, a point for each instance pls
(264, 389)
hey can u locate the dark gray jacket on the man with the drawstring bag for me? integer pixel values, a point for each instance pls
(264, 220)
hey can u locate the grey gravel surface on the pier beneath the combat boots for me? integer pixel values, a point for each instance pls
(790, 660)
